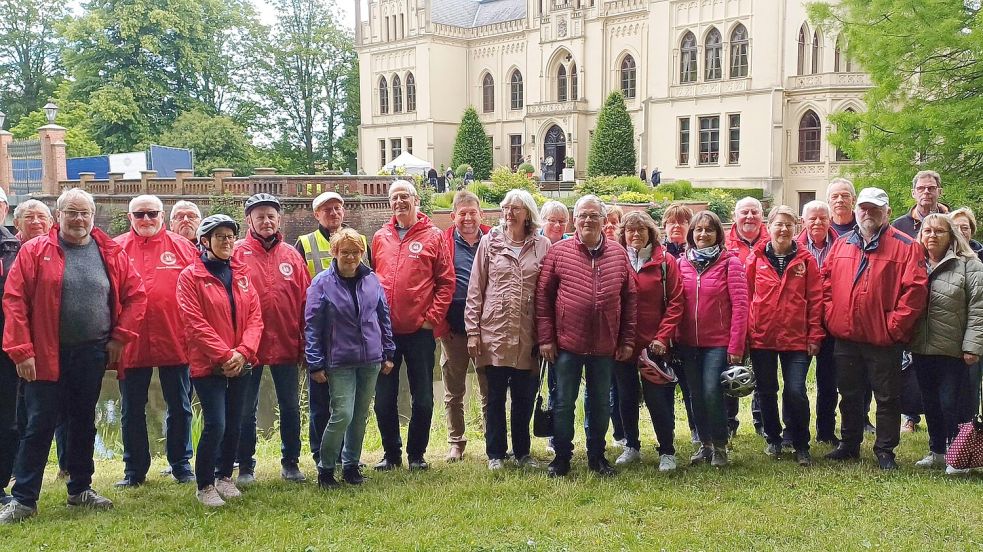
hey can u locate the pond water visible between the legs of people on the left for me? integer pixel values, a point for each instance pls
(109, 443)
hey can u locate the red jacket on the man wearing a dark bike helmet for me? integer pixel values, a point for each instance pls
(281, 280)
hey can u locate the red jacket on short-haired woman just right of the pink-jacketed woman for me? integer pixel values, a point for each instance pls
(786, 311)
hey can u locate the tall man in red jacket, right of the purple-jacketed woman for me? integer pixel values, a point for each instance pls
(412, 264)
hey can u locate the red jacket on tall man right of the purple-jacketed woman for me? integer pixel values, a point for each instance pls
(416, 274)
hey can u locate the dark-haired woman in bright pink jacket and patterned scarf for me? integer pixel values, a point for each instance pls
(713, 329)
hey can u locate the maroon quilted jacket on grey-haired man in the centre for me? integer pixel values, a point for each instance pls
(586, 303)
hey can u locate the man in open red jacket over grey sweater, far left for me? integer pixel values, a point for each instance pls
(72, 301)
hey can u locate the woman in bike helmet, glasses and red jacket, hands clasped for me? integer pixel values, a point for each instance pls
(223, 325)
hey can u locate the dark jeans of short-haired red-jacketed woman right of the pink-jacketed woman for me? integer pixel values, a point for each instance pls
(795, 401)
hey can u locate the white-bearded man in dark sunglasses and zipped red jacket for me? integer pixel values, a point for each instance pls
(158, 256)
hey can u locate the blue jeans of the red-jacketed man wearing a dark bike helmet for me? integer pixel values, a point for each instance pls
(286, 382)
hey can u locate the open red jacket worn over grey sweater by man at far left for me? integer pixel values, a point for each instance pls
(32, 300)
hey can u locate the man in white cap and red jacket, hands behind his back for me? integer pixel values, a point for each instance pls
(875, 289)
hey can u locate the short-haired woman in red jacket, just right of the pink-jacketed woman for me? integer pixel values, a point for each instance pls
(784, 323)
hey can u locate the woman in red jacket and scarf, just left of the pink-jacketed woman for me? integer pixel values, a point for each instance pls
(660, 307)
